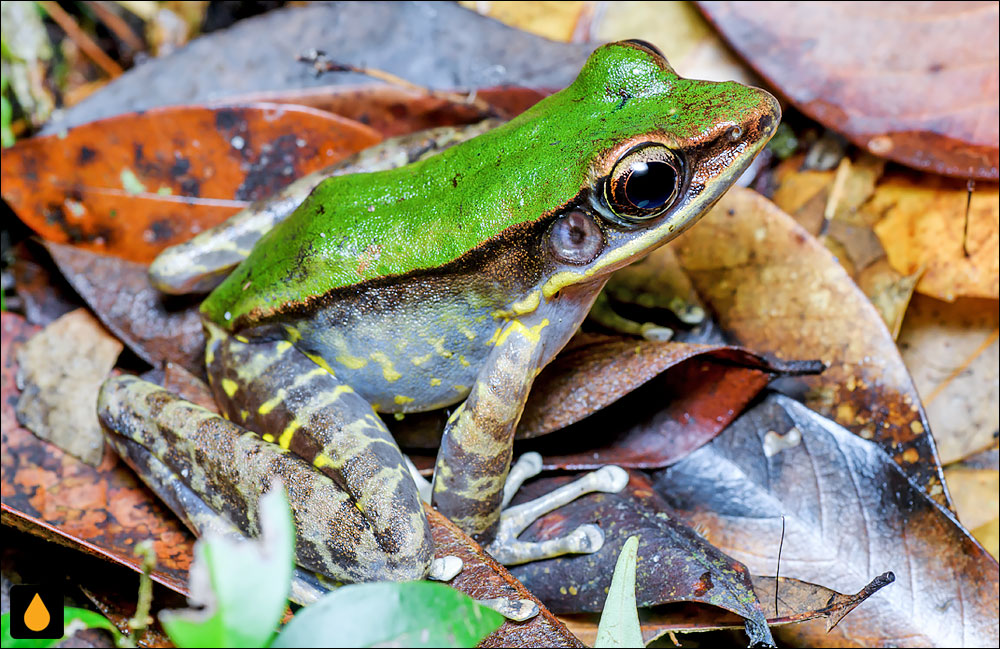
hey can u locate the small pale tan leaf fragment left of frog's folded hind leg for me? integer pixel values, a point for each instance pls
(60, 371)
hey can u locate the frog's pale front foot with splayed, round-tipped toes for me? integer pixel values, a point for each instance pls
(508, 550)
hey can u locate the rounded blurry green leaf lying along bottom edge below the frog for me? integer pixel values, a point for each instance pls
(408, 614)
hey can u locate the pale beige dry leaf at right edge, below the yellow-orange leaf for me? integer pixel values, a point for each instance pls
(952, 353)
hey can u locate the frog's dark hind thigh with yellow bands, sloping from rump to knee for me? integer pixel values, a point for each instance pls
(272, 386)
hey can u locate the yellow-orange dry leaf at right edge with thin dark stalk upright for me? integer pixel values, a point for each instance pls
(924, 225)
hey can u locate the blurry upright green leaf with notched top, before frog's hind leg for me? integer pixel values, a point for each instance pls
(242, 584)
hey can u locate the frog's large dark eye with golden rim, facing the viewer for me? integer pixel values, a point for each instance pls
(643, 183)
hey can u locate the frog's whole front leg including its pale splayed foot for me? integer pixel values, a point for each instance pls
(470, 477)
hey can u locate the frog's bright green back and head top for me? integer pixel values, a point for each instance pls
(366, 226)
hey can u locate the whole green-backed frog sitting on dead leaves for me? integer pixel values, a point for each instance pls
(449, 282)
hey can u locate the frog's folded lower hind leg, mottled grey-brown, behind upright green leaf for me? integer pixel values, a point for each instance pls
(229, 468)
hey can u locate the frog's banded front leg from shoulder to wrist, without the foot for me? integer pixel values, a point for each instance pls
(475, 451)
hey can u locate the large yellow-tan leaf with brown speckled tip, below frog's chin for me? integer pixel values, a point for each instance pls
(777, 290)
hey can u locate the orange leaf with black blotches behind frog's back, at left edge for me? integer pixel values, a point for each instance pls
(134, 184)
